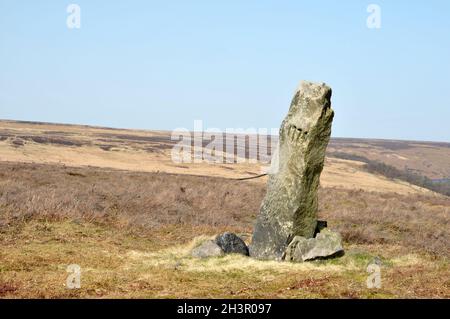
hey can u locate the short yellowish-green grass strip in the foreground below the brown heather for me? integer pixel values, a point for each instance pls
(117, 264)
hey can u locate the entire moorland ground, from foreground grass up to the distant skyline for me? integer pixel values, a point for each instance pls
(113, 202)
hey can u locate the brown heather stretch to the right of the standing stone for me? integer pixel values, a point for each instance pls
(413, 222)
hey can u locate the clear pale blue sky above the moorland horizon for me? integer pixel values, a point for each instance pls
(233, 63)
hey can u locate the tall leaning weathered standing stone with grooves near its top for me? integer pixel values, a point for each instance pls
(290, 206)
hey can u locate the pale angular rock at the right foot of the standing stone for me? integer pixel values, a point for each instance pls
(326, 244)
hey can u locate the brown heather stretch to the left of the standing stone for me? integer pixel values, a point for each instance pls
(142, 200)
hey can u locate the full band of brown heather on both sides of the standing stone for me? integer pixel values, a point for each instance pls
(148, 201)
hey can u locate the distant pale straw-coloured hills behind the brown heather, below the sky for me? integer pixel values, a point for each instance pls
(150, 151)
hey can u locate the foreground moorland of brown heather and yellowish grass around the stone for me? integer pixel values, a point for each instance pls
(131, 233)
